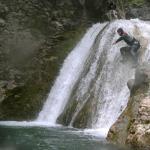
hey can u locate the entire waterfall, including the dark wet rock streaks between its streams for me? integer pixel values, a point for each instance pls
(91, 89)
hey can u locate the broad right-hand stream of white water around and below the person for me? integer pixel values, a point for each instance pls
(111, 88)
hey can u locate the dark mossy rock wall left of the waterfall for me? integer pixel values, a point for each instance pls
(35, 38)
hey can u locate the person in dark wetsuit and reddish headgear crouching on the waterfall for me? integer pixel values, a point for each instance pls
(131, 49)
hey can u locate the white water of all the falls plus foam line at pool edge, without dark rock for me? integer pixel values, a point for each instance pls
(110, 89)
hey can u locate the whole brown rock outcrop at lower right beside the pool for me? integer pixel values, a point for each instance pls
(133, 126)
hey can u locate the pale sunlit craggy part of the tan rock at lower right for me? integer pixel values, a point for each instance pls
(139, 133)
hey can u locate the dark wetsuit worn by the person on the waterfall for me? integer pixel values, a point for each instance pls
(132, 48)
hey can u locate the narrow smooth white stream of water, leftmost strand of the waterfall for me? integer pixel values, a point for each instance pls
(68, 76)
